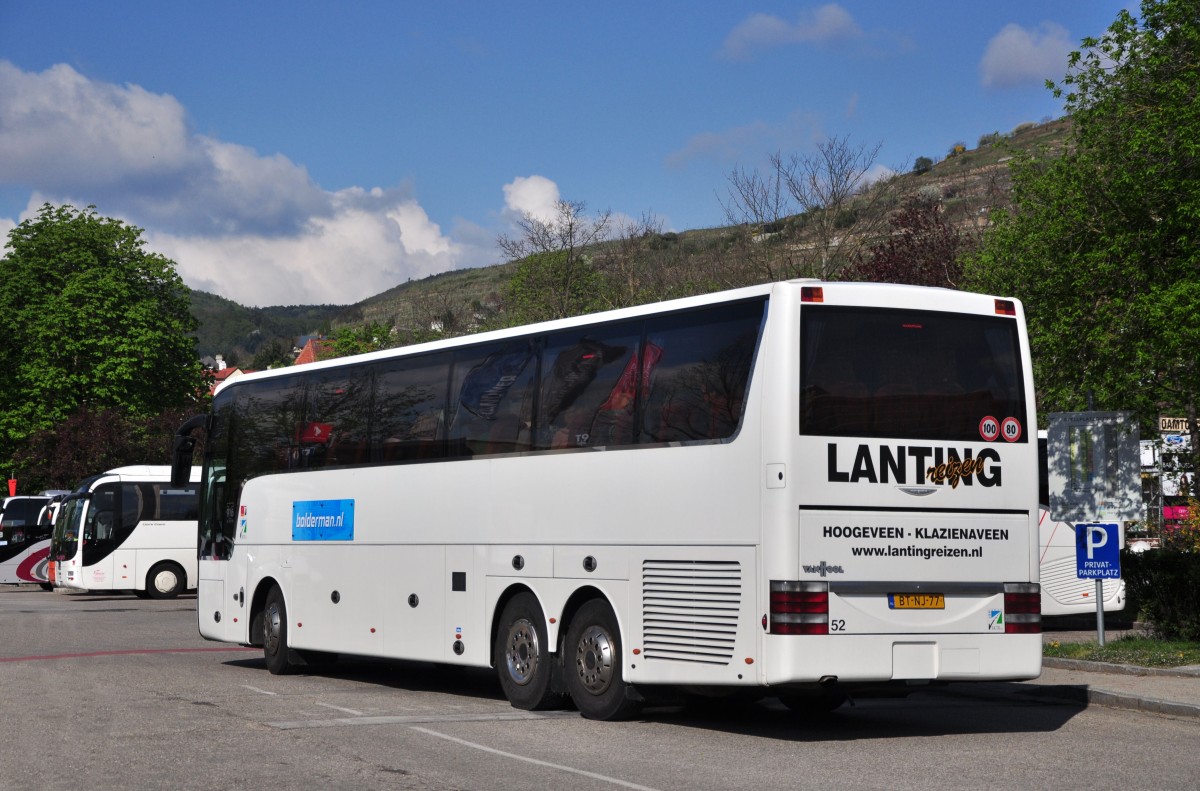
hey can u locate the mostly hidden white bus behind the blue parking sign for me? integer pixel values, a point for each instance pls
(1064, 594)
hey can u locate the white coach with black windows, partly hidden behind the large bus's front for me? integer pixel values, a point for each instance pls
(129, 529)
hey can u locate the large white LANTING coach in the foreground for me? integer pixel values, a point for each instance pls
(805, 489)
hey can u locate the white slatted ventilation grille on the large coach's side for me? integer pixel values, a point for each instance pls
(691, 610)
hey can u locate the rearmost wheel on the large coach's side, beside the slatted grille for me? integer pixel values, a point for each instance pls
(592, 666)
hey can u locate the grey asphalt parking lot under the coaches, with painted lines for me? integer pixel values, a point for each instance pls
(115, 692)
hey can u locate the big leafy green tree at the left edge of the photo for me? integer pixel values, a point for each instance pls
(89, 320)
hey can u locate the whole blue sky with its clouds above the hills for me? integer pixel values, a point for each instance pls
(303, 153)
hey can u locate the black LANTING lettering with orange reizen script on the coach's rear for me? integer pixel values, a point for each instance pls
(917, 465)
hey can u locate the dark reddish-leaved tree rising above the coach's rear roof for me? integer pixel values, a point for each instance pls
(922, 249)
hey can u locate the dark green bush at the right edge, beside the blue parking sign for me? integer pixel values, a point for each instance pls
(1166, 584)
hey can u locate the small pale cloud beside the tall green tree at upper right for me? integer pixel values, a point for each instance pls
(1018, 57)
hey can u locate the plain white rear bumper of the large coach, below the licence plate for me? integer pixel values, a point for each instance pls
(909, 658)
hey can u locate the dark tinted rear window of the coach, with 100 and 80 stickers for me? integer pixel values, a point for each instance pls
(921, 375)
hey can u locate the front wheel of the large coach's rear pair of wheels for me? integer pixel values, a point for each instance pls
(529, 674)
